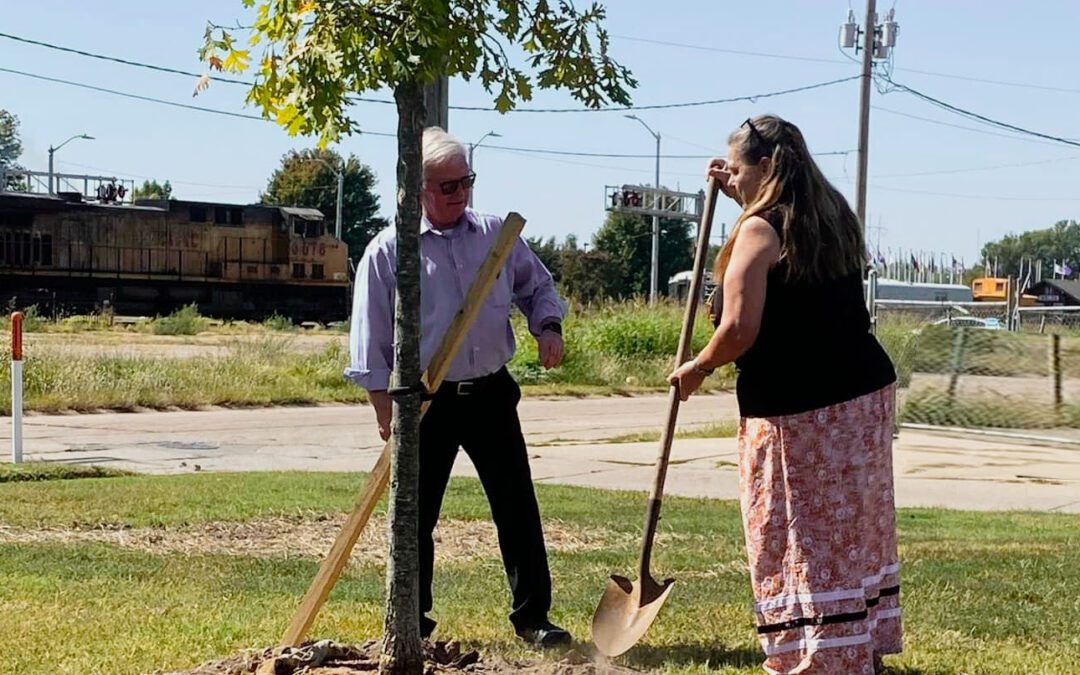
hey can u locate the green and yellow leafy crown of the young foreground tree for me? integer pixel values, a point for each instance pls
(317, 55)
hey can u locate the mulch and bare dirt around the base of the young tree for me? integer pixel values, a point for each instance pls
(329, 658)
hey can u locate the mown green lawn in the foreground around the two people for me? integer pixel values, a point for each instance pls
(983, 593)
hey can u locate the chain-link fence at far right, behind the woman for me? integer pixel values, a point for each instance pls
(971, 366)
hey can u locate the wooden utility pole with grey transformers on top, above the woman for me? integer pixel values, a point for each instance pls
(879, 40)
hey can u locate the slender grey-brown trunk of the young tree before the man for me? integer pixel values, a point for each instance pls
(402, 653)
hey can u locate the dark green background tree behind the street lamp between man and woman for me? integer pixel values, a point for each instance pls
(628, 240)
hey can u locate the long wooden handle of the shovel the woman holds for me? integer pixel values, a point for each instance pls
(653, 517)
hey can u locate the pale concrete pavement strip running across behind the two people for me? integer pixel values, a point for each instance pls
(566, 444)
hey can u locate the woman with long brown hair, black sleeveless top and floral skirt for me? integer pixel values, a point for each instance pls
(816, 397)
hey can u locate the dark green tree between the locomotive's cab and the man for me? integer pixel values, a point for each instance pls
(306, 179)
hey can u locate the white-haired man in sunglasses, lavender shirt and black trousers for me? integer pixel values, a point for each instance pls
(477, 406)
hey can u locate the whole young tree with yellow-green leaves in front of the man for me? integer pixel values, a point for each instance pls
(317, 57)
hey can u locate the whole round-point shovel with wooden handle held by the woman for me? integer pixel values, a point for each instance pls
(628, 609)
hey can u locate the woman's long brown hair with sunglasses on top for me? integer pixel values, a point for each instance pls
(821, 237)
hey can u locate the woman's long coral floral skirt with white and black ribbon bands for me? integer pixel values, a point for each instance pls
(819, 517)
